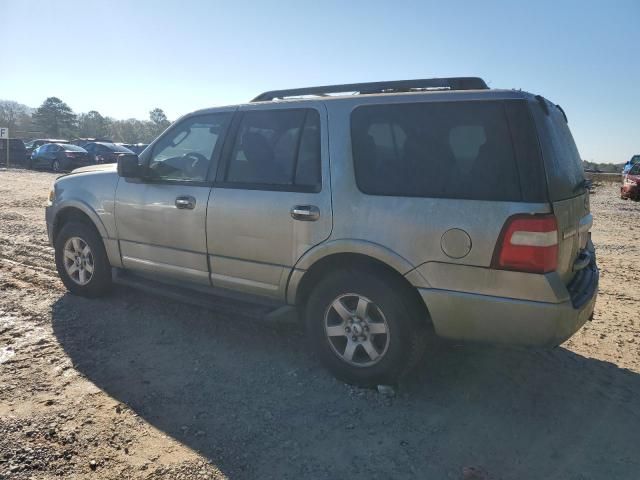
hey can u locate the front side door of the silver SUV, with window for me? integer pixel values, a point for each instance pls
(161, 218)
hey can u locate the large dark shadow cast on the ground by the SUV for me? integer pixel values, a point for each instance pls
(251, 398)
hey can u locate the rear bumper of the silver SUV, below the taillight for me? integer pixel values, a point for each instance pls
(492, 319)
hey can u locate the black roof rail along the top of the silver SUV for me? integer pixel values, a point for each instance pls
(452, 83)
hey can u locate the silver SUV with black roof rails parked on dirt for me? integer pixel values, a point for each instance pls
(381, 212)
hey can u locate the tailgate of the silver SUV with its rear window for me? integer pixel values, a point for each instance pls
(566, 183)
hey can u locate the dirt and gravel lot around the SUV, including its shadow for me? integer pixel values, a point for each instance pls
(134, 386)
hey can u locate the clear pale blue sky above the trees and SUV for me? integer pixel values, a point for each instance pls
(124, 58)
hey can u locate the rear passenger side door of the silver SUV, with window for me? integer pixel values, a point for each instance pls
(271, 201)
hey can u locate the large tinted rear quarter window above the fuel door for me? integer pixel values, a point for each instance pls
(445, 149)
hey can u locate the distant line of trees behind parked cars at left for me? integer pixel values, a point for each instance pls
(55, 119)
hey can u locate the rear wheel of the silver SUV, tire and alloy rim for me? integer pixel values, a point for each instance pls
(390, 308)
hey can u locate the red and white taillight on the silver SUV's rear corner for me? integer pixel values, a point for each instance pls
(528, 243)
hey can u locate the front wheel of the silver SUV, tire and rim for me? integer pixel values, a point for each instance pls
(96, 280)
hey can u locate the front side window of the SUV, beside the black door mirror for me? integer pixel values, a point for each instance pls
(186, 152)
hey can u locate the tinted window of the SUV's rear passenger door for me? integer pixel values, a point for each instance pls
(277, 147)
